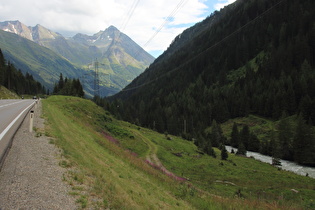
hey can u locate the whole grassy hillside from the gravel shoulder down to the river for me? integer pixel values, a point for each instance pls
(104, 174)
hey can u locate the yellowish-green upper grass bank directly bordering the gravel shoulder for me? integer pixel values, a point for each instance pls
(111, 175)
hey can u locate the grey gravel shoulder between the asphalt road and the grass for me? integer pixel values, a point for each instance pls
(31, 177)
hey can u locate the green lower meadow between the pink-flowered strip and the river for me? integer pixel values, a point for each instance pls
(255, 180)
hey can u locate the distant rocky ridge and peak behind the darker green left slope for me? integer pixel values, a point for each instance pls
(120, 58)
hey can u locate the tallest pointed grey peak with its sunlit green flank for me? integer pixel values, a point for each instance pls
(120, 58)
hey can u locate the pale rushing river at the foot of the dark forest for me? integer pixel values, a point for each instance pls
(285, 165)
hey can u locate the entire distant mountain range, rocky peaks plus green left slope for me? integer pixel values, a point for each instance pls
(46, 54)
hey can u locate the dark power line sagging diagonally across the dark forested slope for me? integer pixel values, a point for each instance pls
(206, 50)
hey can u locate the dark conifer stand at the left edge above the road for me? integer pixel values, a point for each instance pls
(14, 80)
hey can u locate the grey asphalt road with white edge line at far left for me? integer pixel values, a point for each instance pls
(12, 113)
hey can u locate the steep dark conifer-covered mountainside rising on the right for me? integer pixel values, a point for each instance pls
(253, 57)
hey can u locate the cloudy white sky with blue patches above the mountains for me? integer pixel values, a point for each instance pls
(152, 24)
